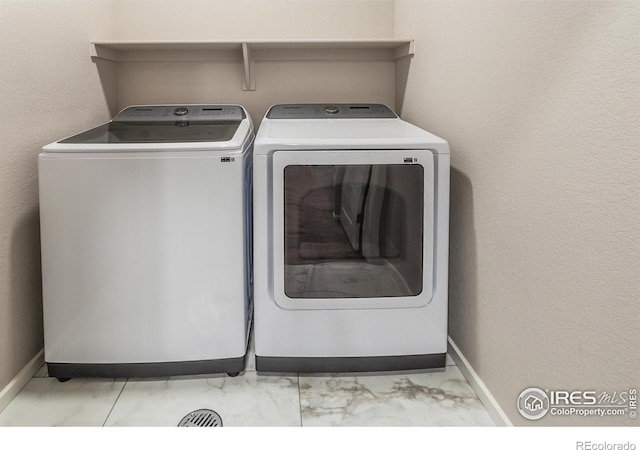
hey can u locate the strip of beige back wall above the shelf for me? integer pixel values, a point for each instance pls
(252, 19)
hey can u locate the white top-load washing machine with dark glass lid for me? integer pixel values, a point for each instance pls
(146, 244)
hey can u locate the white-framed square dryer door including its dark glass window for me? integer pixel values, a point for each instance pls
(353, 229)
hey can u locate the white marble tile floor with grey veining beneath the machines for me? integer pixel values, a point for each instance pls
(397, 399)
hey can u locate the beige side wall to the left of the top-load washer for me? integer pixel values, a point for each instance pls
(49, 88)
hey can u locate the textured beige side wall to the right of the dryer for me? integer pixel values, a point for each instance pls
(539, 102)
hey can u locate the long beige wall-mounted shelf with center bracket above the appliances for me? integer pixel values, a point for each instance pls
(249, 52)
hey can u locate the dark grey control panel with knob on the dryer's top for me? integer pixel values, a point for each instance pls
(331, 111)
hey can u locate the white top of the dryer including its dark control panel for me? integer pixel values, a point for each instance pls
(353, 127)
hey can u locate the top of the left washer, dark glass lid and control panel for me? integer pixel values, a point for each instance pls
(164, 127)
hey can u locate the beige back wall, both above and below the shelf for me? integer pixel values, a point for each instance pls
(276, 82)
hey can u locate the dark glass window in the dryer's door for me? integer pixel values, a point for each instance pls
(353, 231)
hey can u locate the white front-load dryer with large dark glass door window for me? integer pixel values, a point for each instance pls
(351, 216)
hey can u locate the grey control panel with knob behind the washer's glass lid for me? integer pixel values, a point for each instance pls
(176, 113)
